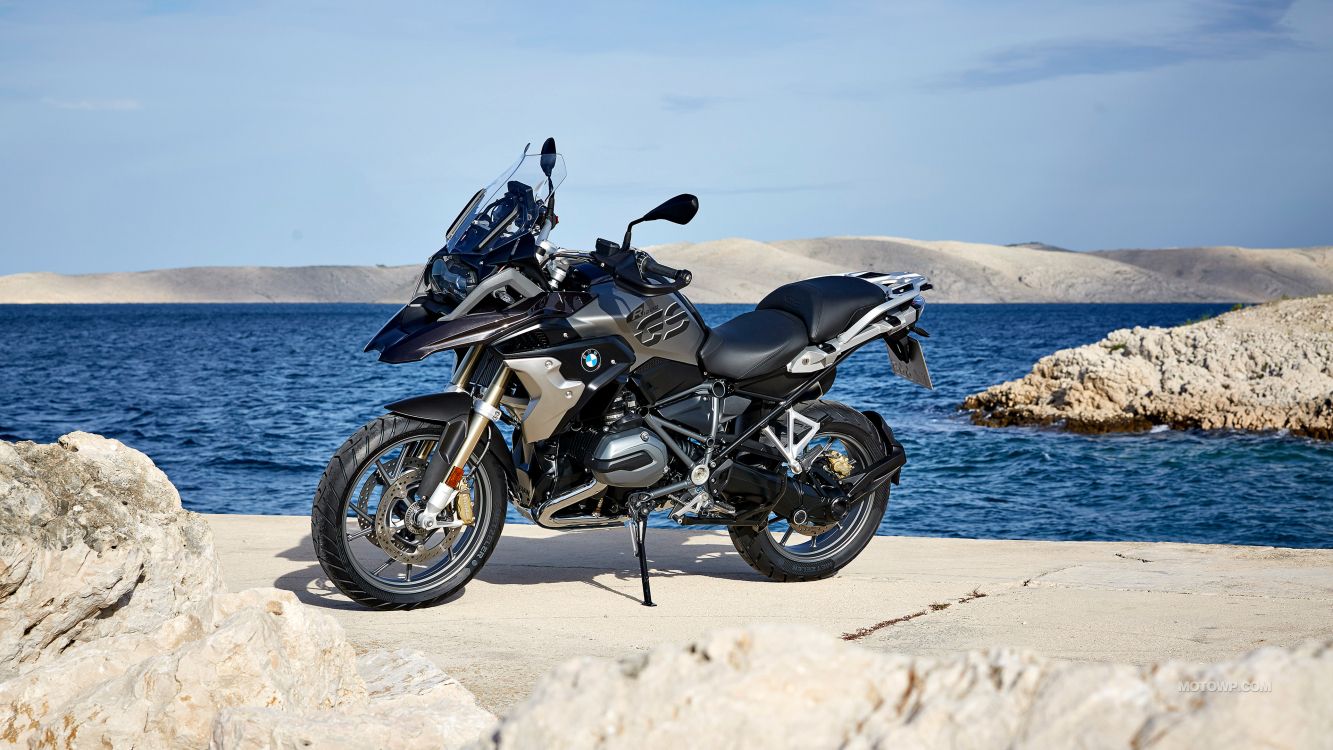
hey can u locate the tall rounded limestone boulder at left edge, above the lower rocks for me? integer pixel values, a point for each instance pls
(94, 543)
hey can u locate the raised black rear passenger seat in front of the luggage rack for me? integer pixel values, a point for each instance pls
(827, 306)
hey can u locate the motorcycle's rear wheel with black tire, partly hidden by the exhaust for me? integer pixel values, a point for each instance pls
(766, 554)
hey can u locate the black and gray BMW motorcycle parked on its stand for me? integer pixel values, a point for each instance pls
(622, 403)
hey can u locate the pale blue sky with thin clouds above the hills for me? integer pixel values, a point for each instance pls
(139, 135)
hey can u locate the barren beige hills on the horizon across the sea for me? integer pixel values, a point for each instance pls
(743, 271)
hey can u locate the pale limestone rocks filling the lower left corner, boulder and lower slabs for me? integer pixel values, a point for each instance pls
(117, 631)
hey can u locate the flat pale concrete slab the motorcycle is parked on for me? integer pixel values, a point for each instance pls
(546, 597)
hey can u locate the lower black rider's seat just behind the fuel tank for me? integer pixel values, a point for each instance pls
(752, 344)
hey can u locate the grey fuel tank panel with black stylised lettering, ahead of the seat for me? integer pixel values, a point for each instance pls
(654, 327)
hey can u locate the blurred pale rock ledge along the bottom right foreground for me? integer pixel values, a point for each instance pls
(791, 688)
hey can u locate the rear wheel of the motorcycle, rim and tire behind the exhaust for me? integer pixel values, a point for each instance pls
(792, 552)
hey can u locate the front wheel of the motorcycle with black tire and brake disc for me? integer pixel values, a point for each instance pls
(363, 522)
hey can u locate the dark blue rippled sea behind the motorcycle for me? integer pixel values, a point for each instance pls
(242, 407)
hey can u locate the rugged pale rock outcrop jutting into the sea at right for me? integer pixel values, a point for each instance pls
(1263, 368)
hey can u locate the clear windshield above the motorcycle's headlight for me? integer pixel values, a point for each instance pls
(510, 207)
